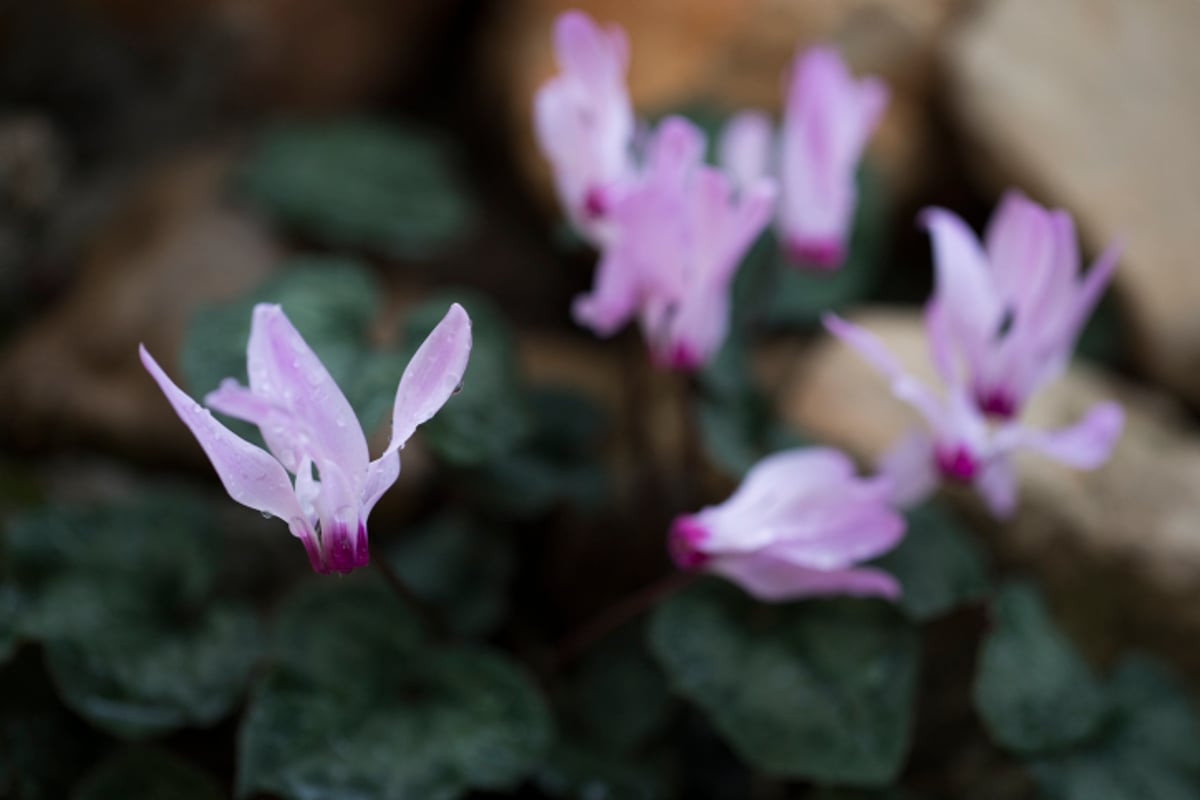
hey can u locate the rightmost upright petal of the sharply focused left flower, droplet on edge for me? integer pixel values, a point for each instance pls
(433, 376)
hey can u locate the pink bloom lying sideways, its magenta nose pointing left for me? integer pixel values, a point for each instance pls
(799, 526)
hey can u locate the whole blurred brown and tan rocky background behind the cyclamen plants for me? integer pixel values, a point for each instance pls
(123, 123)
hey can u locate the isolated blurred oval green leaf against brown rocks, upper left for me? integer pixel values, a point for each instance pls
(361, 184)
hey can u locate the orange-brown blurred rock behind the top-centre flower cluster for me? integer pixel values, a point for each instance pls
(734, 53)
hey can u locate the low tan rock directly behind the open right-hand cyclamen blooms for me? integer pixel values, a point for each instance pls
(1119, 545)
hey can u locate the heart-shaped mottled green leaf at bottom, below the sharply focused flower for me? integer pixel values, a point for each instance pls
(359, 706)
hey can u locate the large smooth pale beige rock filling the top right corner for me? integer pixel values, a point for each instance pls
(1093, 105)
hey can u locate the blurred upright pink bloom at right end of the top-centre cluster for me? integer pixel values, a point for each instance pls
(829, 119)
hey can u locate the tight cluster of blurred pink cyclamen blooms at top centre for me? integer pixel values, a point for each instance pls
(673, 230)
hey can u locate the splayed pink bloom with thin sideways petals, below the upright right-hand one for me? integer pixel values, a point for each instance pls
(963, 444)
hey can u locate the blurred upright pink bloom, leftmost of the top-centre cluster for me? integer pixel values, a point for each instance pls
(585, 122)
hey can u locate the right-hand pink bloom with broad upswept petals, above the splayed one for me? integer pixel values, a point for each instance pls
(1006, 314)
